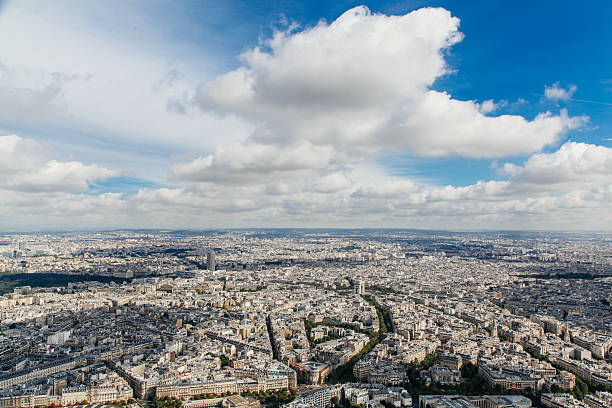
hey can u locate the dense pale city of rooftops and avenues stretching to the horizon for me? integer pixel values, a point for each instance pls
(306, 318)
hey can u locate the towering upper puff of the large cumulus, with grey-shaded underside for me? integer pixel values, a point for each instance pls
(358, 60)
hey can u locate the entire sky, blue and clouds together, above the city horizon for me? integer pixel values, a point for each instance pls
(138, 109)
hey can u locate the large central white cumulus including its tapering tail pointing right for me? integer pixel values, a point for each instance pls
(361, 84)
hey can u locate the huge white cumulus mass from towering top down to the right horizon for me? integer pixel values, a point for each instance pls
(325, 100)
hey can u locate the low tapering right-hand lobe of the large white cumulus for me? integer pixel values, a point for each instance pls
(440, 126)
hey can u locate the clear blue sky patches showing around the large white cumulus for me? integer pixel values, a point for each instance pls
(509, 53)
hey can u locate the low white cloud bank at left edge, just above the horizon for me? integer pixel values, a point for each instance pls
(38, 192)
